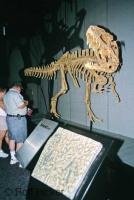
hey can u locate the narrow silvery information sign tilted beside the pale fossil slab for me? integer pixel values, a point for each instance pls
(35, 141)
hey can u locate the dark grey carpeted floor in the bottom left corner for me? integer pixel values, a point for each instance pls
(13, 181)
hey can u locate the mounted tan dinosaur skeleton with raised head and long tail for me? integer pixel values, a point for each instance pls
(96, 66)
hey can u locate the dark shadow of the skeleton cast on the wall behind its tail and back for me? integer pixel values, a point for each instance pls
(54, 37)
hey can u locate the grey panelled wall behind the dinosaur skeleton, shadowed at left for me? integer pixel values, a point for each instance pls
(62, 27)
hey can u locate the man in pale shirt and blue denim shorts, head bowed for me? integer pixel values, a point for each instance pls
(16, 108)
